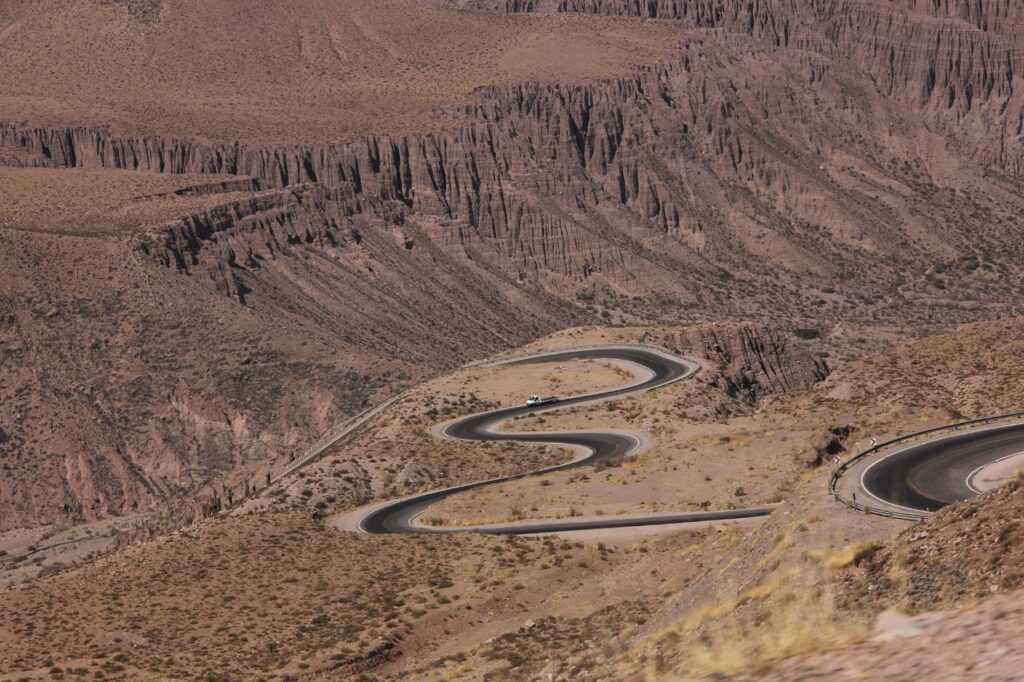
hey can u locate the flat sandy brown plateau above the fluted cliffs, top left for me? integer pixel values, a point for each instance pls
(314, 71)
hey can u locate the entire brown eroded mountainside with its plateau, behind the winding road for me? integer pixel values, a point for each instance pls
(856, 161)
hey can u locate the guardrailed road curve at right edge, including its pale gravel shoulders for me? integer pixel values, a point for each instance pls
(943, 471)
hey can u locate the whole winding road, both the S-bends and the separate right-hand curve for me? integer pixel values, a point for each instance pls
(910, 483)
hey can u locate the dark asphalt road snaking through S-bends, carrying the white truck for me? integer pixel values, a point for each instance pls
(660, 369)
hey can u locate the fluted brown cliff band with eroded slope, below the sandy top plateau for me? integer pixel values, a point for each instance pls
(744, 157)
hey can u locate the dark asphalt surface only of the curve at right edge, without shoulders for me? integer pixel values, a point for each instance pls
(933, 475)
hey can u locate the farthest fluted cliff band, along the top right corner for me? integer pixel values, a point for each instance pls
(955, 60)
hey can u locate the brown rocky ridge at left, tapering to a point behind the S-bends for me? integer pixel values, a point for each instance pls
(137, 369)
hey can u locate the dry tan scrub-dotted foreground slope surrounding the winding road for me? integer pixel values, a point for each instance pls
(267, 591)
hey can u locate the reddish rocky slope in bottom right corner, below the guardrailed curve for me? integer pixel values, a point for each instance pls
(967, 560)
